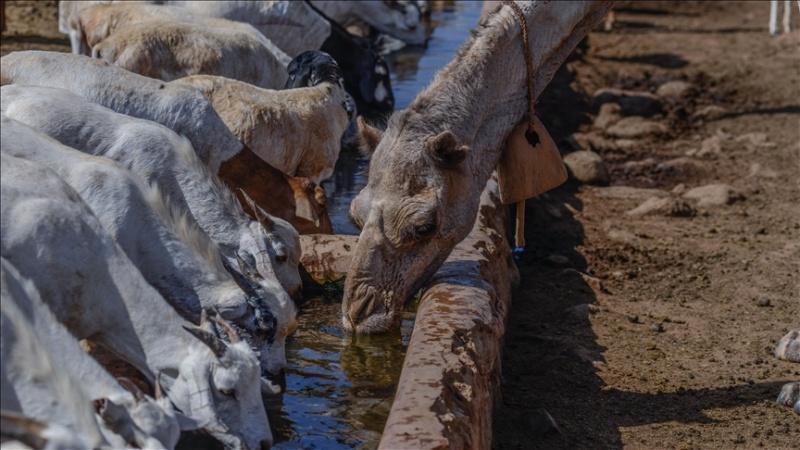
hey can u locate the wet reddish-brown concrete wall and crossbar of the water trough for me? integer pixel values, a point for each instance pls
(450, 375)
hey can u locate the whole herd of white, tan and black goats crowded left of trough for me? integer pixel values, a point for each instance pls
(153, 186)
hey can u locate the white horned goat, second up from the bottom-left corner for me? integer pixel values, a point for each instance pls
(52, 238)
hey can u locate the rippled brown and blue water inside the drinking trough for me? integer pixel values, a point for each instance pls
(339, 389)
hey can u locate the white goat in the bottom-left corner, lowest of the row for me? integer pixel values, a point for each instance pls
(125, 419)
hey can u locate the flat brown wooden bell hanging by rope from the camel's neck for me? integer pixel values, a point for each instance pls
(530, 163)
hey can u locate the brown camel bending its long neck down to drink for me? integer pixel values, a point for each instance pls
(428, 171)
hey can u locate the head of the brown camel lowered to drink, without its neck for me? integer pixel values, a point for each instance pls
(420, 201)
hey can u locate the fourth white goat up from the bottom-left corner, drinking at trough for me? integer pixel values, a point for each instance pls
(160, 156)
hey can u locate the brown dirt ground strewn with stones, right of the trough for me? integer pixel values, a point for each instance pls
(672, 347)
